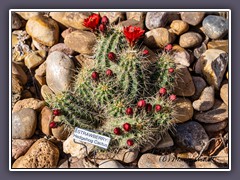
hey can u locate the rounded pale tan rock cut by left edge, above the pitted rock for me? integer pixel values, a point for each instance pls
(24, 123)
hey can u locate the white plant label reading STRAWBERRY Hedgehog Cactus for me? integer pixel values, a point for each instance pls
(83, 135)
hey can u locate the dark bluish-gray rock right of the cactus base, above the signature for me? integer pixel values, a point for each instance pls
(191, 135)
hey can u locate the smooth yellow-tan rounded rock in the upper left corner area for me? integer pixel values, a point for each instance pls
(43, 29)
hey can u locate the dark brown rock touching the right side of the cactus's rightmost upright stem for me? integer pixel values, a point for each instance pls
(183, 84)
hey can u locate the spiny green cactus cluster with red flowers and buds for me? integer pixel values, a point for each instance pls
(119, 95)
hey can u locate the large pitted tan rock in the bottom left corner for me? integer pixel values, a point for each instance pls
(42, 154)
